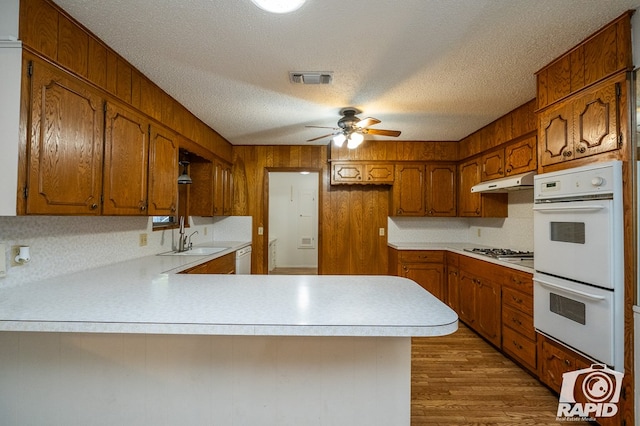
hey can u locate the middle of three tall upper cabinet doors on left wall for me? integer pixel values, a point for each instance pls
(125, 162)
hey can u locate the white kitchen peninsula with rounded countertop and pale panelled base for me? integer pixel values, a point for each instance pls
(138, 343)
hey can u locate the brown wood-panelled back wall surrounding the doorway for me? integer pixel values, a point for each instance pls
(350, 218)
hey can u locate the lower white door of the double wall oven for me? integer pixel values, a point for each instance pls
(578, 315)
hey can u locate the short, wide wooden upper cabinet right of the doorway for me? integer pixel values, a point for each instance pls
(363, 173)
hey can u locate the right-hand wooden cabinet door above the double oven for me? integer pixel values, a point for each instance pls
(596, 121)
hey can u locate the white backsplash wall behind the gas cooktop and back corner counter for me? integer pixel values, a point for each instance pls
(514, 232)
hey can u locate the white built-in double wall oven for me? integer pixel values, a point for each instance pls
(579, 267)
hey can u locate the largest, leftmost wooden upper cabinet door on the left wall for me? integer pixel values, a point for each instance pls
(65, 149)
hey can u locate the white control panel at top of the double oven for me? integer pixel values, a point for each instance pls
(599, 179)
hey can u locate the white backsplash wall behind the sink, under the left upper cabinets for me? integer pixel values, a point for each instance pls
(65, 244)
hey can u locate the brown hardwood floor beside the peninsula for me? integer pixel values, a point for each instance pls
(462, 380)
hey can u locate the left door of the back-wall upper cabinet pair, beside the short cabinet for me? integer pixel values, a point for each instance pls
(408, 190)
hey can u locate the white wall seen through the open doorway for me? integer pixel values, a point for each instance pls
(285, 221)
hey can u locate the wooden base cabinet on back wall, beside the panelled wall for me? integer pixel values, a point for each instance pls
(426, 267)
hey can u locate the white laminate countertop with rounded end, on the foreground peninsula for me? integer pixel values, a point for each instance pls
(146, 295)
